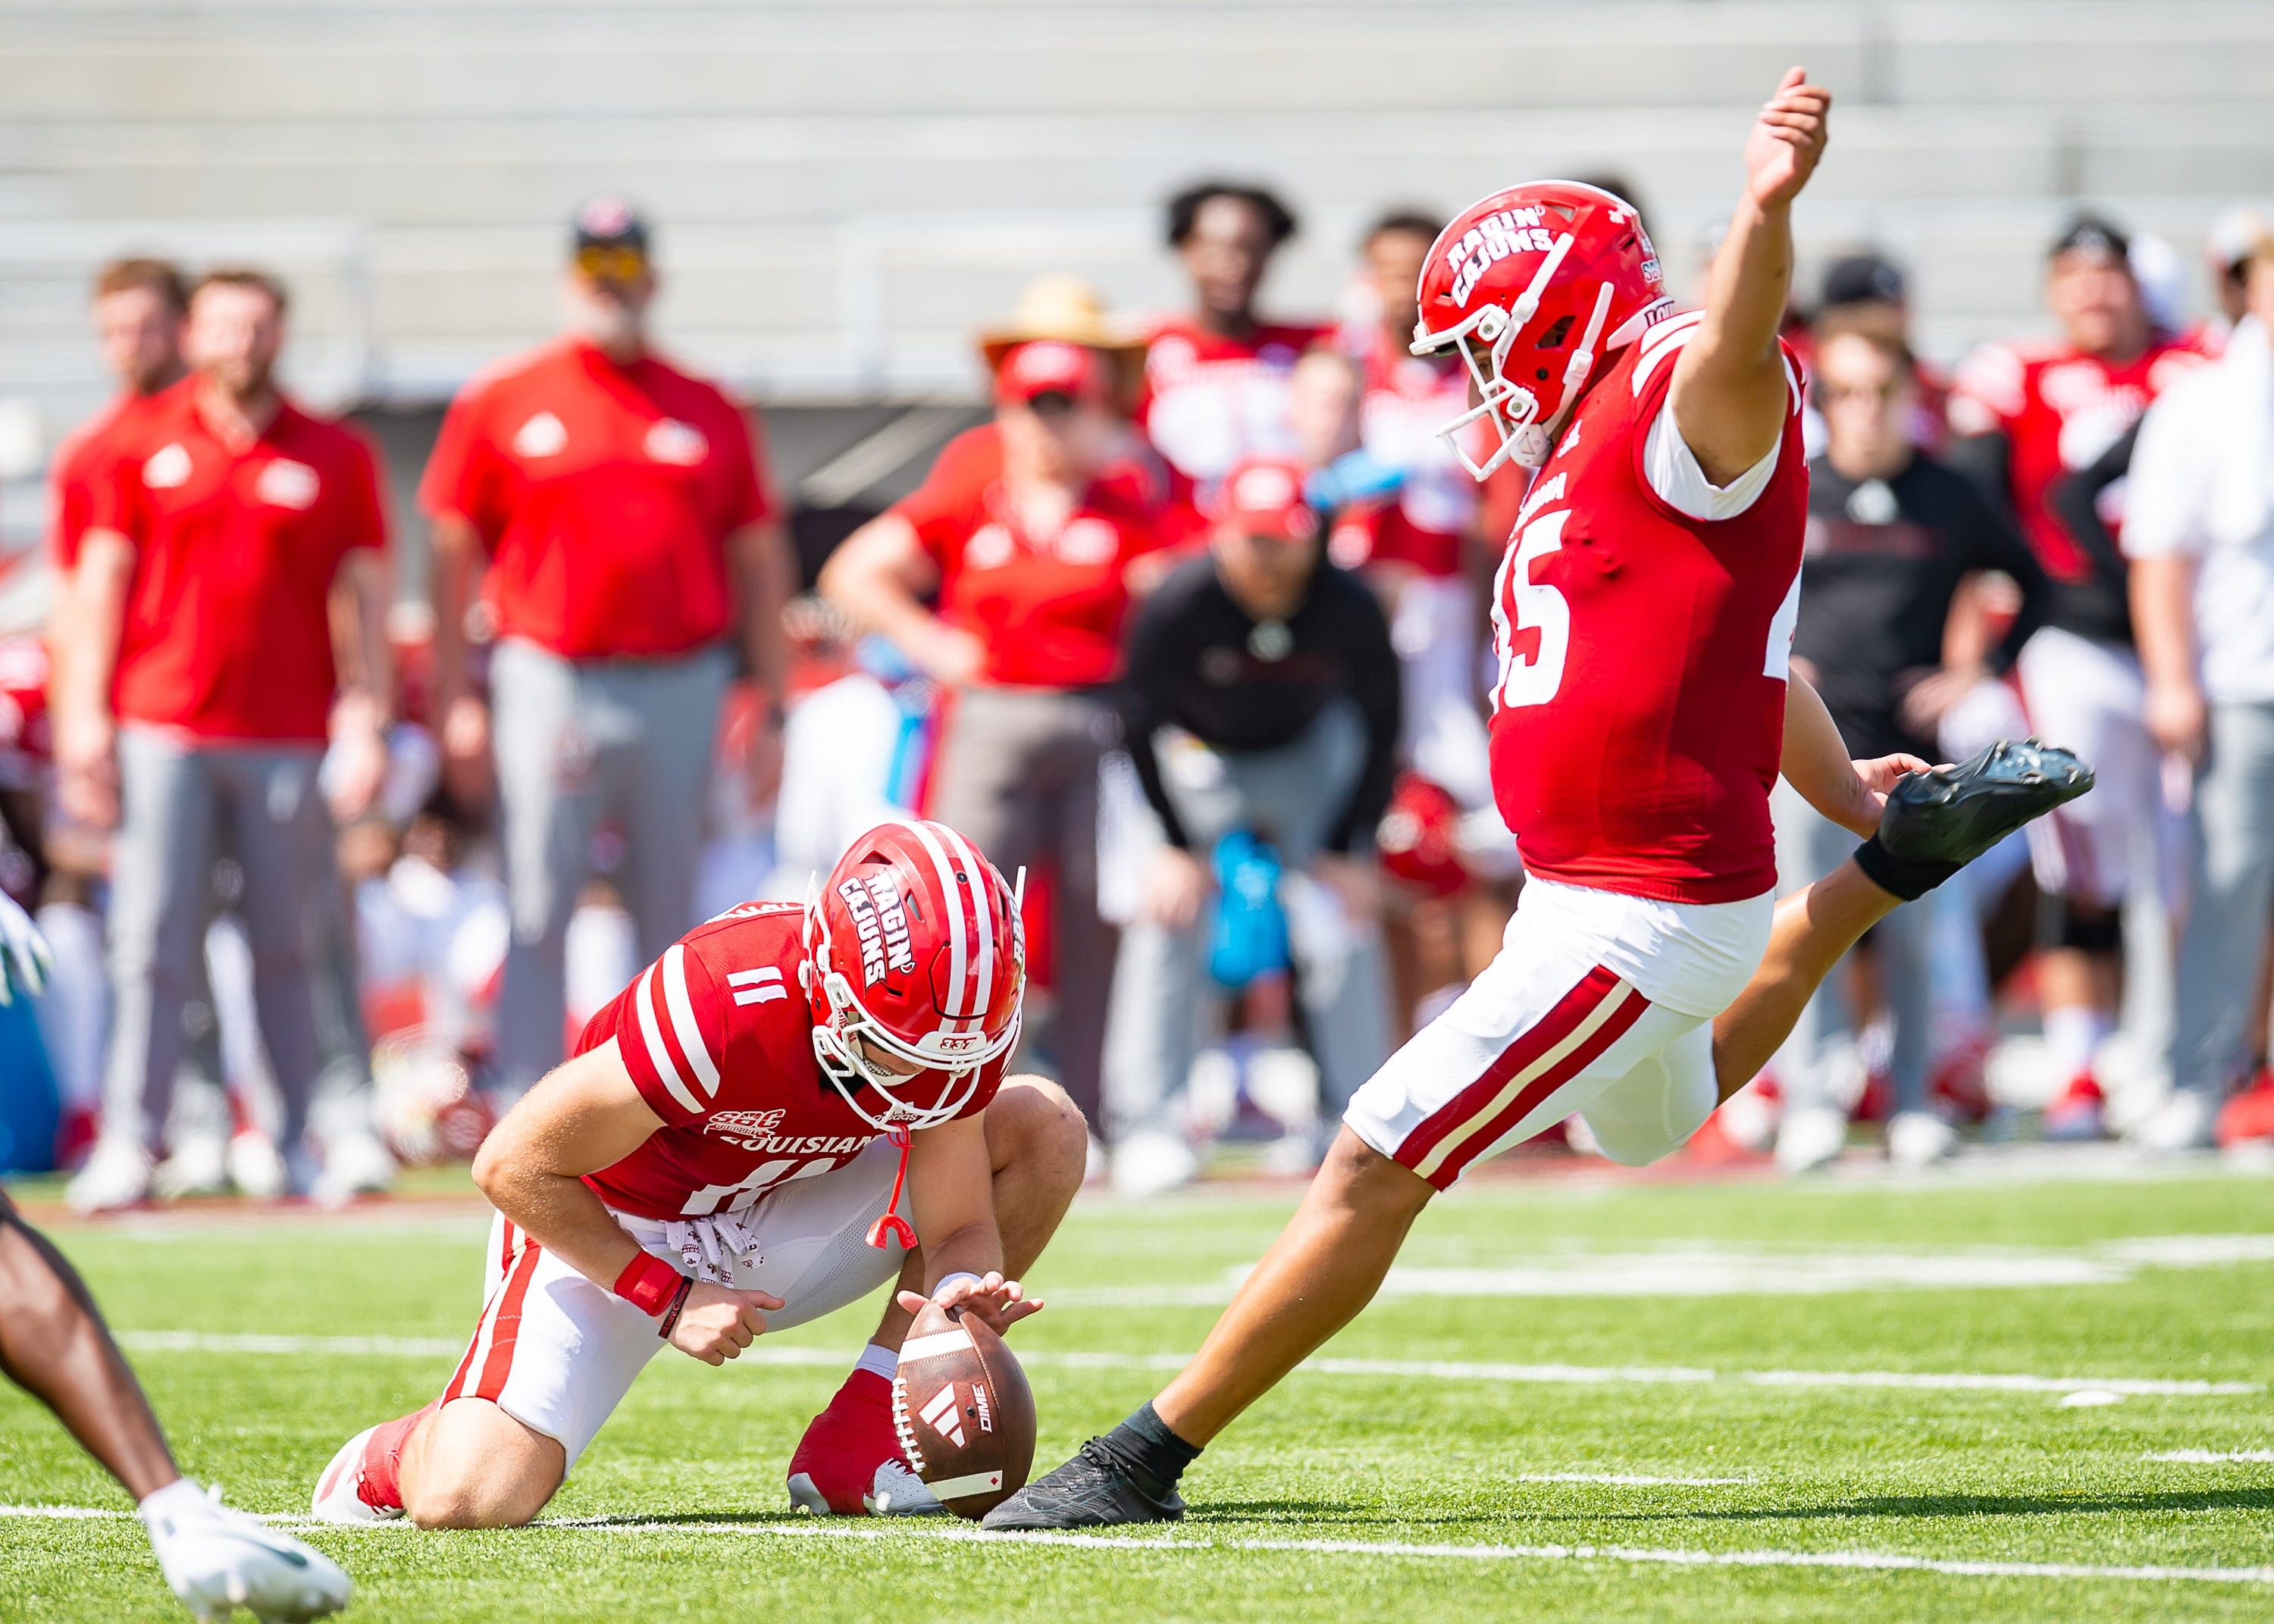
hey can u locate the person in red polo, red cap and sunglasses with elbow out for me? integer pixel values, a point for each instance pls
(1029, 536)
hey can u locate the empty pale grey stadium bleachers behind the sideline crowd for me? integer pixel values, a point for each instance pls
(847, 190)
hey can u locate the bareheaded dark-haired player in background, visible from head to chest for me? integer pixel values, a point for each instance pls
(1215, 379)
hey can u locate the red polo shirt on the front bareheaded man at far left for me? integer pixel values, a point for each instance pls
(229, 629)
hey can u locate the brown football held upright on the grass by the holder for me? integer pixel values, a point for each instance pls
(963, 1411)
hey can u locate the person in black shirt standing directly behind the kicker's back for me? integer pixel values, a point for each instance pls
(1893, 538)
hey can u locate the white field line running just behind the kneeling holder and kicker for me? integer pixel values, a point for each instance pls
(1331, 1366)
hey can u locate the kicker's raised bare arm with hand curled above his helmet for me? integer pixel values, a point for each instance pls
(1729, 386)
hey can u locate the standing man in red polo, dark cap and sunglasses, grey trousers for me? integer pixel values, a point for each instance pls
(626, 542)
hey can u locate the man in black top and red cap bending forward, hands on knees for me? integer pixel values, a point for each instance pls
(1261, 697)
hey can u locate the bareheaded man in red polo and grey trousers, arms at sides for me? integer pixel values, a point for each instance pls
(229, 602)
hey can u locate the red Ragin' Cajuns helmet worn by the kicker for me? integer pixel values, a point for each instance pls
(1545, 281)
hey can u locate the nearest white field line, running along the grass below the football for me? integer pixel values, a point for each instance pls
(1643, 1557)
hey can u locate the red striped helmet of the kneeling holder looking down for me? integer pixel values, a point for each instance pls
(915, 970)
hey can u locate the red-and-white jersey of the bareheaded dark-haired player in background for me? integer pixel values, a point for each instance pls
(1211, 401)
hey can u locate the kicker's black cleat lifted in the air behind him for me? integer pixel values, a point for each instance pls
(1945, 820)
